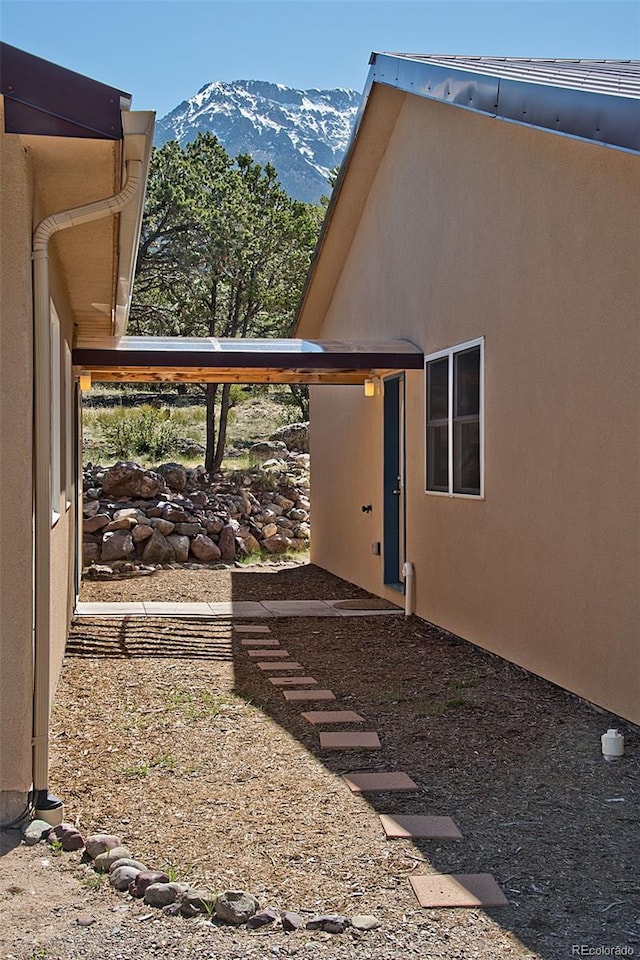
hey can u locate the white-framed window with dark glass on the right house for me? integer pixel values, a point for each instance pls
(453, 395)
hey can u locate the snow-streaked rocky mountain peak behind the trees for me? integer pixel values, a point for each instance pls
(303, 133)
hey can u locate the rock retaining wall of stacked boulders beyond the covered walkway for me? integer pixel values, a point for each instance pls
(172, 515)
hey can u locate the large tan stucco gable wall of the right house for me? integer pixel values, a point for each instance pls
(475, 227)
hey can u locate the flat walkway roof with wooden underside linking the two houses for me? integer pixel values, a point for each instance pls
(208, 359)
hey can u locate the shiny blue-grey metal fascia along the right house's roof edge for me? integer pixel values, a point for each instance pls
(606, 119)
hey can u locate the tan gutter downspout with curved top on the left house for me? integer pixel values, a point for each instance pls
(42, 455)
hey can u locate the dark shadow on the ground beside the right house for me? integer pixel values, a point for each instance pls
(513, 759)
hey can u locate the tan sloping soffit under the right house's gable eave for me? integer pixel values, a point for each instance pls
(370, 136)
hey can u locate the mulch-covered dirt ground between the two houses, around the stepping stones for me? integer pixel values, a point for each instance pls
(166, 733)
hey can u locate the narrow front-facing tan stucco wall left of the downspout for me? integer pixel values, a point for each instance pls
(15, 476)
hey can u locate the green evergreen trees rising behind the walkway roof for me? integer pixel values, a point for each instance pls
(224, 252)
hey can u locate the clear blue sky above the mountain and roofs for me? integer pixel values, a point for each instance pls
(163, 51)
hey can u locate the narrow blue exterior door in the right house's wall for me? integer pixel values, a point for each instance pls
(393, 480)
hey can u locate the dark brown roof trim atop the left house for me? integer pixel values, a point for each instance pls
(44, 99)
